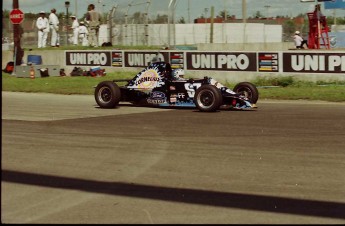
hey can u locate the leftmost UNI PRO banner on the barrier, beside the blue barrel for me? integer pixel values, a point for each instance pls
(88, 58)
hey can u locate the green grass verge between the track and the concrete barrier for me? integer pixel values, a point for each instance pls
(284, 88)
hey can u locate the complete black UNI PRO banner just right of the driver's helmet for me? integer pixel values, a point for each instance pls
(222, 61)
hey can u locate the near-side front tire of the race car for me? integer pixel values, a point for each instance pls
(208, 98)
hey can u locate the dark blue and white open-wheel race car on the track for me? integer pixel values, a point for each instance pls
(158, 85)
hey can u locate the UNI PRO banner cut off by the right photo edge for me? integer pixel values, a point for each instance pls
(314, 62)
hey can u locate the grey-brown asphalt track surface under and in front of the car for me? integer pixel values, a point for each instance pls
(66, 161)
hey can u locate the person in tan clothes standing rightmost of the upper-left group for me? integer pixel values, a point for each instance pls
(93, 18)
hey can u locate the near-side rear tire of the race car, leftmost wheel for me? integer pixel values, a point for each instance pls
(107, 94)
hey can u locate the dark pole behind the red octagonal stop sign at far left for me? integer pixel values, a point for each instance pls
(17, 34)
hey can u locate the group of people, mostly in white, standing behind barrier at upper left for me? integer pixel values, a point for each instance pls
(84, 33)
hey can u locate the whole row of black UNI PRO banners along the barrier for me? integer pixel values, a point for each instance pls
(330, 62)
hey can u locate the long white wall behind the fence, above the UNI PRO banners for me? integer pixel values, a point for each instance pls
(191, 34)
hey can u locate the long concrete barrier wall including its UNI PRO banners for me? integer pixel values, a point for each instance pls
(225, 65)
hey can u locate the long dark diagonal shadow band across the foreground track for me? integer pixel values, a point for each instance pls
(192, 196)
